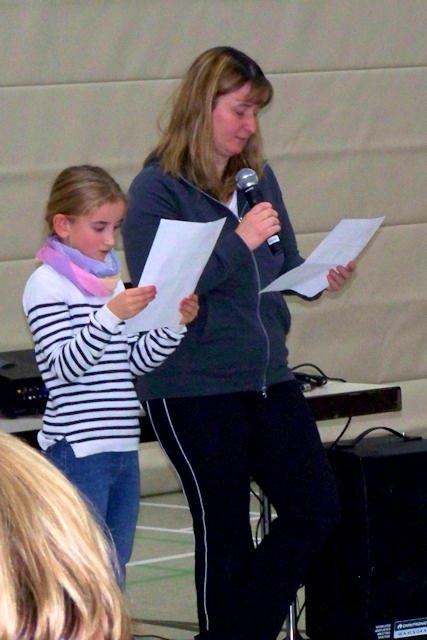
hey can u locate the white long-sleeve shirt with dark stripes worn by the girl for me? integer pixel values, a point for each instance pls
(88, 365)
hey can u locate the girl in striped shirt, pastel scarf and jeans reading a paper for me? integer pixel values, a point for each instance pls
(76, 303)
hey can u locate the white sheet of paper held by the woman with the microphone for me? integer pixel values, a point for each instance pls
(342, 244)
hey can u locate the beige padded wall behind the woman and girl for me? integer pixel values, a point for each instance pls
(84, 81)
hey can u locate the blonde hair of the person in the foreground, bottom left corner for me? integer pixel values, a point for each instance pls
(56, 578)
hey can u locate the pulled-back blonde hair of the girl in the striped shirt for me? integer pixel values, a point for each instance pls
(78, 190)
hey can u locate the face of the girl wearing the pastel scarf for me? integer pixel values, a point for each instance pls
(93, 234)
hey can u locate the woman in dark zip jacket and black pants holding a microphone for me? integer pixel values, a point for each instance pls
(225, 406)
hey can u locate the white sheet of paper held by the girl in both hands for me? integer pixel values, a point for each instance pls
(174, 265)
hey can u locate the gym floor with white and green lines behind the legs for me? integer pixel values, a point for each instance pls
(160, 583)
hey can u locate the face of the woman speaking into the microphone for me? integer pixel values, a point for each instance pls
(234, 121)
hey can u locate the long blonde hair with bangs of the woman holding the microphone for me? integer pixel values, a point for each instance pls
(186, 146)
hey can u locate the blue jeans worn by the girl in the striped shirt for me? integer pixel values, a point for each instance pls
(110, 483)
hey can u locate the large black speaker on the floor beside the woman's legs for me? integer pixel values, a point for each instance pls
(370, 581)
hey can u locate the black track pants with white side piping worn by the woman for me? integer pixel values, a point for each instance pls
(217, 444)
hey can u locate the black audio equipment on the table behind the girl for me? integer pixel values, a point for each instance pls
(22, 391)
